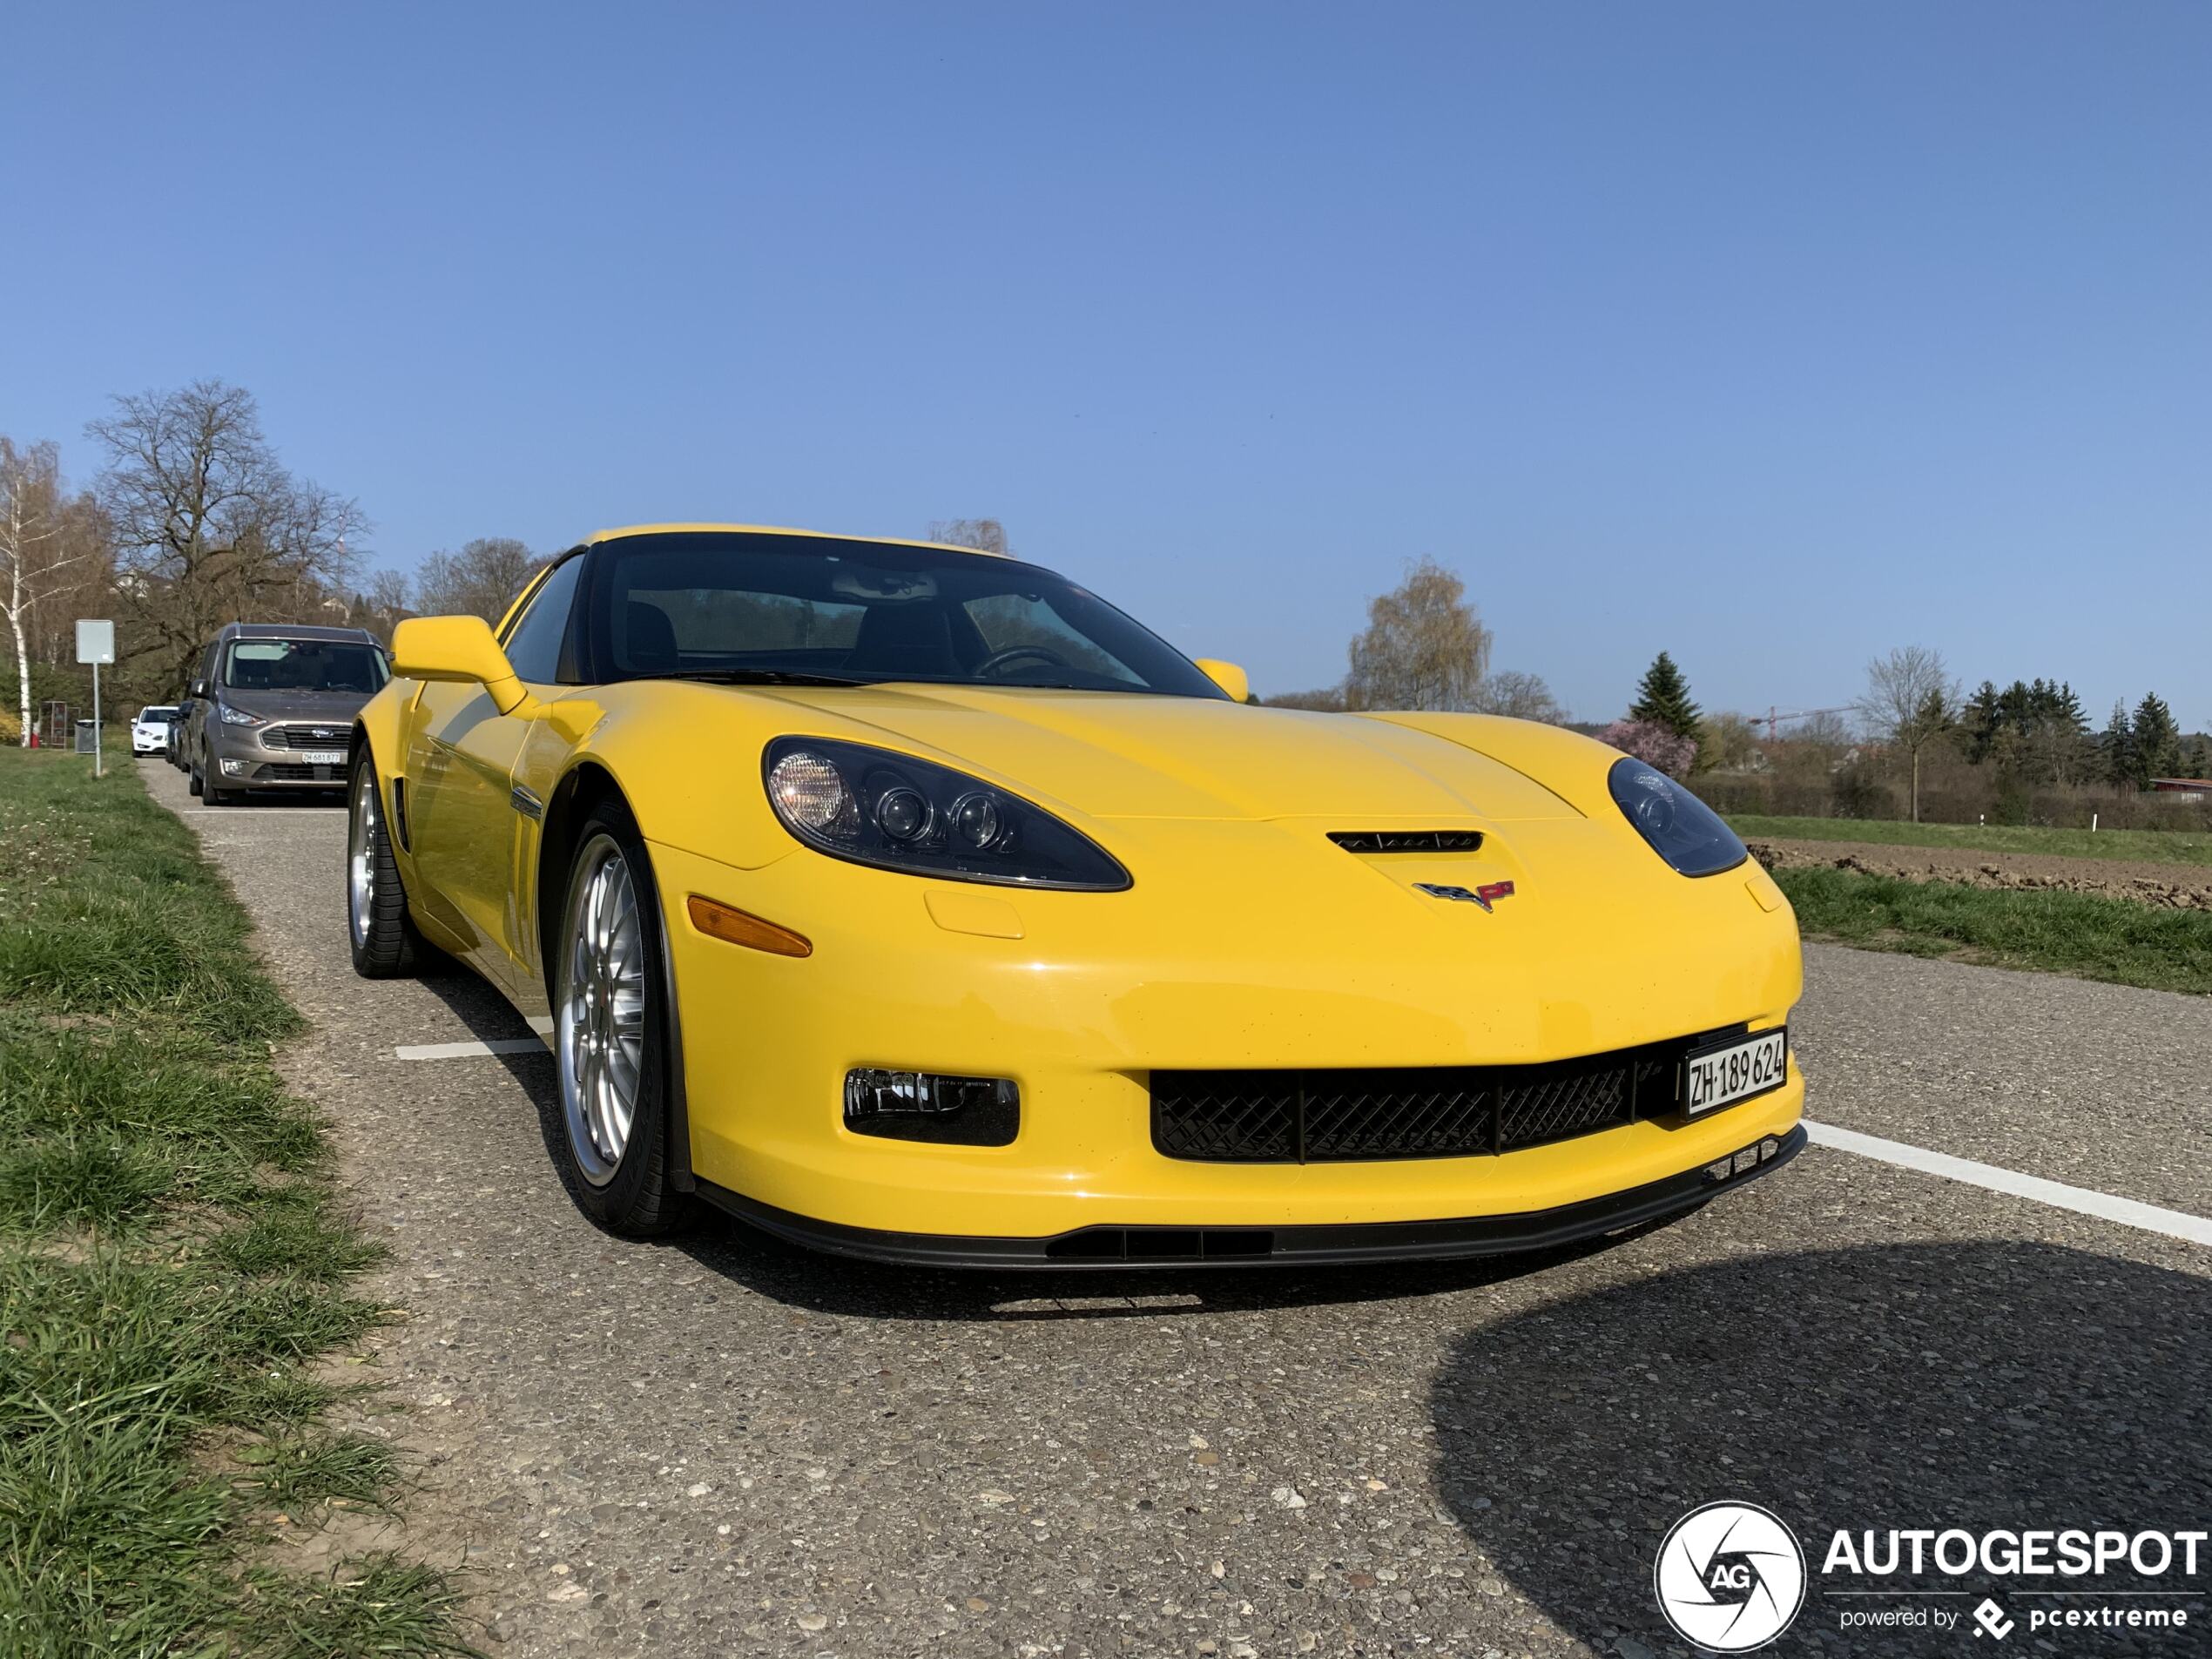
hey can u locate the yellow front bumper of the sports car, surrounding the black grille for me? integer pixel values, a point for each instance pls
(1089, 994)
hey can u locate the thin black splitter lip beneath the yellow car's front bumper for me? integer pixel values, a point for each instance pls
(1315, 1246)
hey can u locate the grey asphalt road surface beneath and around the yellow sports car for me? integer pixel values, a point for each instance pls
(729, 1448)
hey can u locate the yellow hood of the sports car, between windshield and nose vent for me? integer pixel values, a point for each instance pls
(1118, 755)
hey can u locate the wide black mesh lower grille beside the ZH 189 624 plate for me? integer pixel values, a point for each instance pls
(1410, 1112)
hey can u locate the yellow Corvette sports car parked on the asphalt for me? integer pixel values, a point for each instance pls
(917, 904)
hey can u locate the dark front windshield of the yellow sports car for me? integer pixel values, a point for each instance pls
(764, 607)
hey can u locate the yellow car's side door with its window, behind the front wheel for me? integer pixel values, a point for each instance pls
(466, 820)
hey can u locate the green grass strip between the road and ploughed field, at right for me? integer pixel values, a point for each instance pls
(2094, 939)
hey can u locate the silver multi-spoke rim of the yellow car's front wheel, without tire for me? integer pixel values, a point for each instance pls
(603, 1010)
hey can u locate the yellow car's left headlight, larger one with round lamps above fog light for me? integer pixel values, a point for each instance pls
(897, 813)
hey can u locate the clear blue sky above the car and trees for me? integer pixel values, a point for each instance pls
(1766, 335)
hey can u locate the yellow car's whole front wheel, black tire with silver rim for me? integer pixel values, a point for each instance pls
(603, 994)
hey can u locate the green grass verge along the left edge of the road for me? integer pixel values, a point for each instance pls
(171, 1266)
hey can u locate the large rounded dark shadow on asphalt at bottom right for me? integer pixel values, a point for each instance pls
(1976, 1386)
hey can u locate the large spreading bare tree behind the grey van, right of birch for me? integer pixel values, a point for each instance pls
(207, 525)
